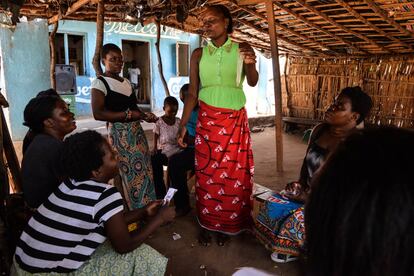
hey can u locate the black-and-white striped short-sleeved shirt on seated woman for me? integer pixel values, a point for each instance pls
(68, 227)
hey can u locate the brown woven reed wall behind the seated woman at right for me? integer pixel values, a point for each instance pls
(312, 84)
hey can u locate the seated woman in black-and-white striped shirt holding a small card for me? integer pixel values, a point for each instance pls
(68, 231)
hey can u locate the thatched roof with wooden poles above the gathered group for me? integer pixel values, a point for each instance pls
(304, 27)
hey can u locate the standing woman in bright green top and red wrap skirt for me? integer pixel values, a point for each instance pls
(224, 159)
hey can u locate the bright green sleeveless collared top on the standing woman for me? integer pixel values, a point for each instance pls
(218, 76)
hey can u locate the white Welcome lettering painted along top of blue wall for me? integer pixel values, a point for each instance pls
(147, 30)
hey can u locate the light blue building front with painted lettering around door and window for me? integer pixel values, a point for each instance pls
(115, 33)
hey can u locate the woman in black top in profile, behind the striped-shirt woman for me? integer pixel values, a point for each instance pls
(49, 121)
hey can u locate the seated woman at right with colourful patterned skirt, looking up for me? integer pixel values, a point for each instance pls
(283, 232)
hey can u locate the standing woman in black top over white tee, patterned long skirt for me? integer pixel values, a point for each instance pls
(113, 101)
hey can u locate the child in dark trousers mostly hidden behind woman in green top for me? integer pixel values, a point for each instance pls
(180, 163)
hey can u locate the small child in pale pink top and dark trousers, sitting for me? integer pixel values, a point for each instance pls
(165, 143)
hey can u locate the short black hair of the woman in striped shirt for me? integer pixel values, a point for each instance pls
(81, 154)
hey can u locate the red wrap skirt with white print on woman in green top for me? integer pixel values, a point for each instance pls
(224, 169)
